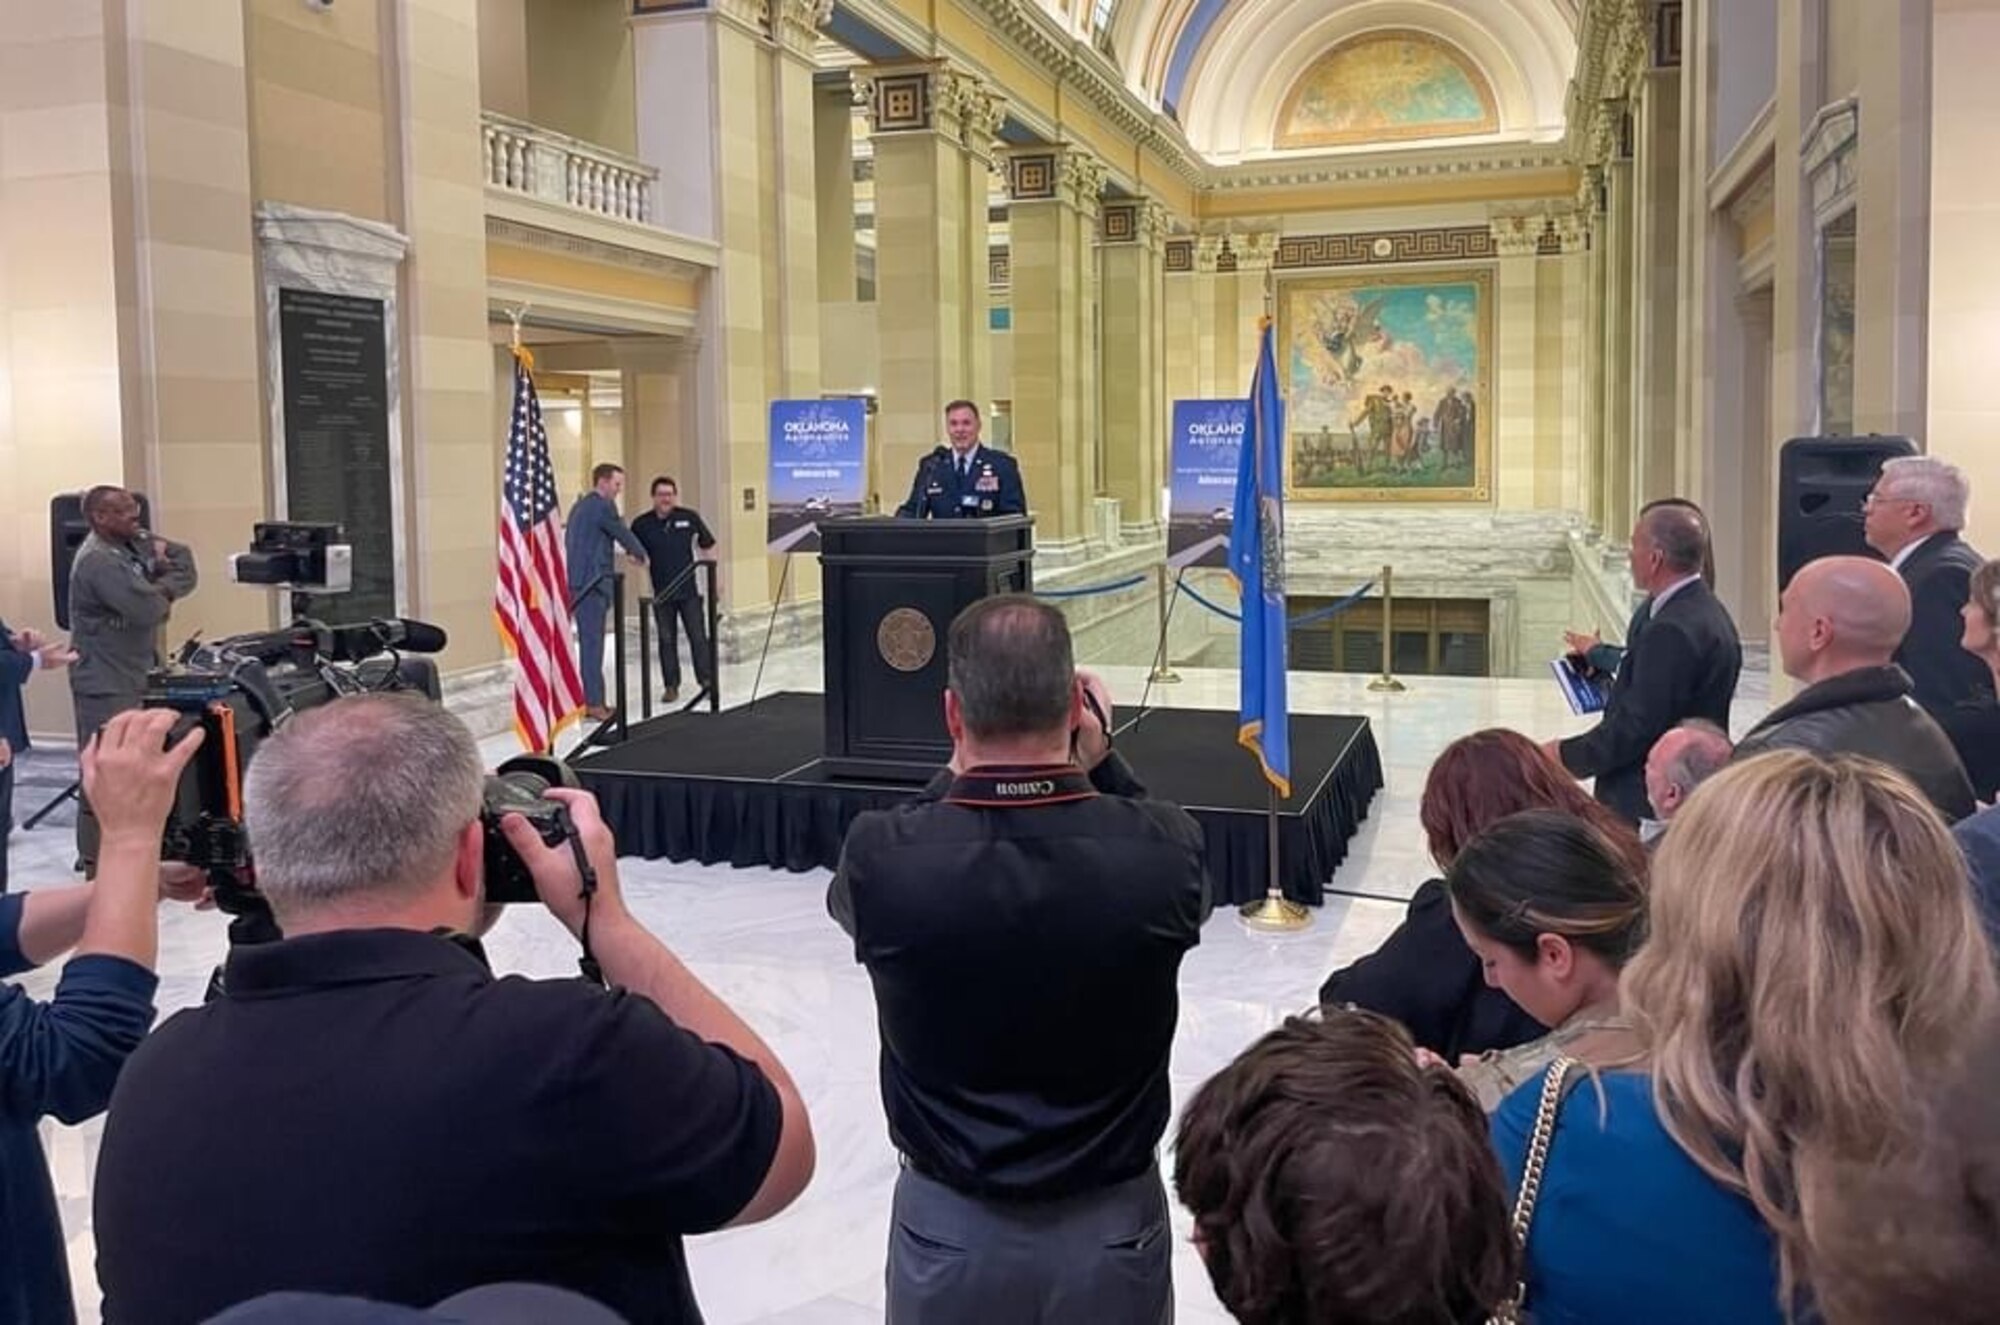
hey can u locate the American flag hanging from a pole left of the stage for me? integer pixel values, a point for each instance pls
(533, 599)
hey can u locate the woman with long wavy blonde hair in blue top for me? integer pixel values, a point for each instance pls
(1813, 962)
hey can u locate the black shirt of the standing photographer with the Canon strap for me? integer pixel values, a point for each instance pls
(1025, 962)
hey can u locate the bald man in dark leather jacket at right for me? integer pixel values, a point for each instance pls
(1839, 627)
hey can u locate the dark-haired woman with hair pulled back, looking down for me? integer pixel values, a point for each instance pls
(1553, 916)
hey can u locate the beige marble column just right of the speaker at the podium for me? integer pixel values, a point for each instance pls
(1053, 213)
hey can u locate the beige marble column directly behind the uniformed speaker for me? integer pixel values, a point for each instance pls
(933, 129)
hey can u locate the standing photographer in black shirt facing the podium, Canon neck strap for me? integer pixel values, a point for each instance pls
(1023, 926)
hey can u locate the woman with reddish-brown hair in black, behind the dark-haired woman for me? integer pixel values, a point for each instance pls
(1425, 976)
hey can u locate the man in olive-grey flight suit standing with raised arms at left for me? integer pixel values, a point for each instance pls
(123, 585)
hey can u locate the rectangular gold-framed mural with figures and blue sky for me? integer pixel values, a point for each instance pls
(1387, 387)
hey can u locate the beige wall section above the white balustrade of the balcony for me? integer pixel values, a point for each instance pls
(581, 71)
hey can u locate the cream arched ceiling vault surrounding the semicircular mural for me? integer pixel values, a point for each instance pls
(1227, 67)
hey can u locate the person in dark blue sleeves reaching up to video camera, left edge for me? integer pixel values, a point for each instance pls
(61, 1058)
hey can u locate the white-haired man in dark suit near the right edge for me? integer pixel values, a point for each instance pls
(1913, 519)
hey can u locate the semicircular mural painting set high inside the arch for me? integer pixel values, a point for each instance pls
(1387, 87)
